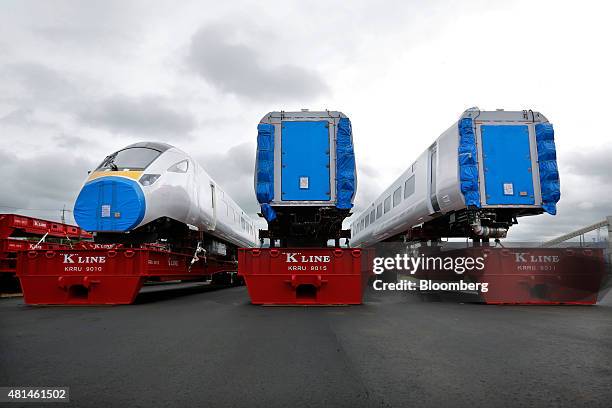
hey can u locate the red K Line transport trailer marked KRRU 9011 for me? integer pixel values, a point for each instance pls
(539, 276)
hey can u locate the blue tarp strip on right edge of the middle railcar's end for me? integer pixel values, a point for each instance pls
(346, 180)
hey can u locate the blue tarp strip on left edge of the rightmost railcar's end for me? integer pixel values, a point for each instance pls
(468, 163)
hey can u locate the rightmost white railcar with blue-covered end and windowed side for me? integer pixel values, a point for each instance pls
(474, 181)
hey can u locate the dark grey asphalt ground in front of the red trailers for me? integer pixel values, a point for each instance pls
(195, 346)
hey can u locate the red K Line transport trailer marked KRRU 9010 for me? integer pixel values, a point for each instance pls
(103, 276)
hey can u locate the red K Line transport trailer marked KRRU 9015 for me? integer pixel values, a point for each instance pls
(305, 276)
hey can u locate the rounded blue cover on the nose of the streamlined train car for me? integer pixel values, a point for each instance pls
(110, 204)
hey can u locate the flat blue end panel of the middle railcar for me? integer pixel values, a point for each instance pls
(305, 156)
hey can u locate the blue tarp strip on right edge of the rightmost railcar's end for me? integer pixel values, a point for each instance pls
(549, 173)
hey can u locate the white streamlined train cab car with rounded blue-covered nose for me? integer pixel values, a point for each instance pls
(148, 191)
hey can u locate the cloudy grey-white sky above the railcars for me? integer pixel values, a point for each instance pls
(79, 80)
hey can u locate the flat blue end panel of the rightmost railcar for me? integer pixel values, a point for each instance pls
(507, 165)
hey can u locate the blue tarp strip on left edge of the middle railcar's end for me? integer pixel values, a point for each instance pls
(264, 185)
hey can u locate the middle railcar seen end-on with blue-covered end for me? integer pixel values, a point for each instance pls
(305, 178)
